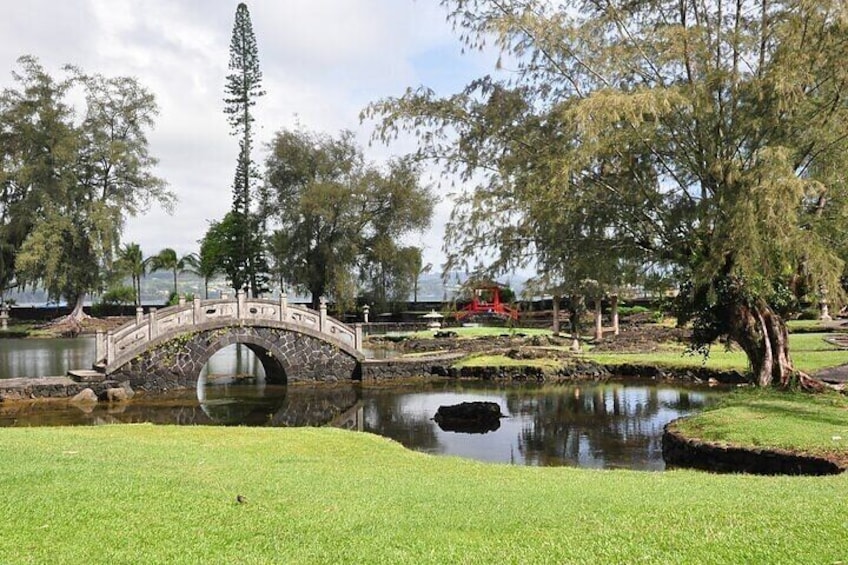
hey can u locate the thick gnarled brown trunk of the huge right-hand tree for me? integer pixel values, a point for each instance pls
(762, 334)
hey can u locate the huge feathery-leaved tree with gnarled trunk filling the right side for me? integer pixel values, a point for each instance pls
(713, 133)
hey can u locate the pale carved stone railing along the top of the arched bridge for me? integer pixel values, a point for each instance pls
(135, 336)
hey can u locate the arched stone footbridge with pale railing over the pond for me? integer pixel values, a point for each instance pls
(166, 349)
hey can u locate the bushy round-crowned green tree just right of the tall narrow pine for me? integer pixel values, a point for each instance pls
(334, 212)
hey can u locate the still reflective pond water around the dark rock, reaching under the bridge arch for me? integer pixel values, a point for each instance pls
(597, 425)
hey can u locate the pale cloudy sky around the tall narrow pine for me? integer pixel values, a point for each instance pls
(322, 61)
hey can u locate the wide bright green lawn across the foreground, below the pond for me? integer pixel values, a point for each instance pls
(145, 494)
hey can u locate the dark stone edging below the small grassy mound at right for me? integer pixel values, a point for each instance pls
(680, 451)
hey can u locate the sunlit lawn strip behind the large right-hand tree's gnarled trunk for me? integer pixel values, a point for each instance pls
(810, 353)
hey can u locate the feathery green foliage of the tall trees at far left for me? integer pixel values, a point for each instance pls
(69, 179)
